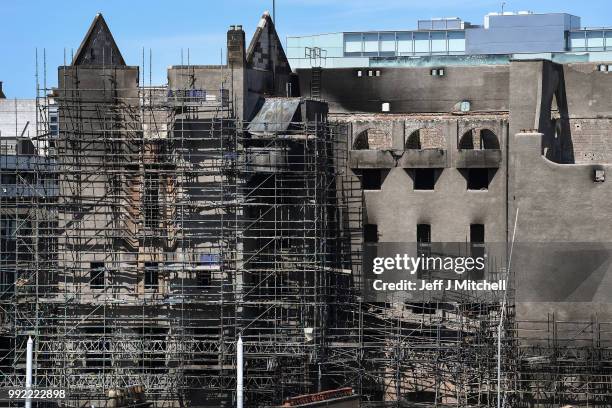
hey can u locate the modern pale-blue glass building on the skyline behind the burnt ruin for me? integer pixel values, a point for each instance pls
(501, 37)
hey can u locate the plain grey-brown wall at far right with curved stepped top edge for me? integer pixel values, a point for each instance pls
(560, 205)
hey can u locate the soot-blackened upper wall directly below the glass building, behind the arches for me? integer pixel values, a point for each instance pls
(412, 89)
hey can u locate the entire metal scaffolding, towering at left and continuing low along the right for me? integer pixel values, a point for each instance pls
(153, 227)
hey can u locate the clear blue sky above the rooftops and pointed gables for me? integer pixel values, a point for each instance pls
(200, 26)
